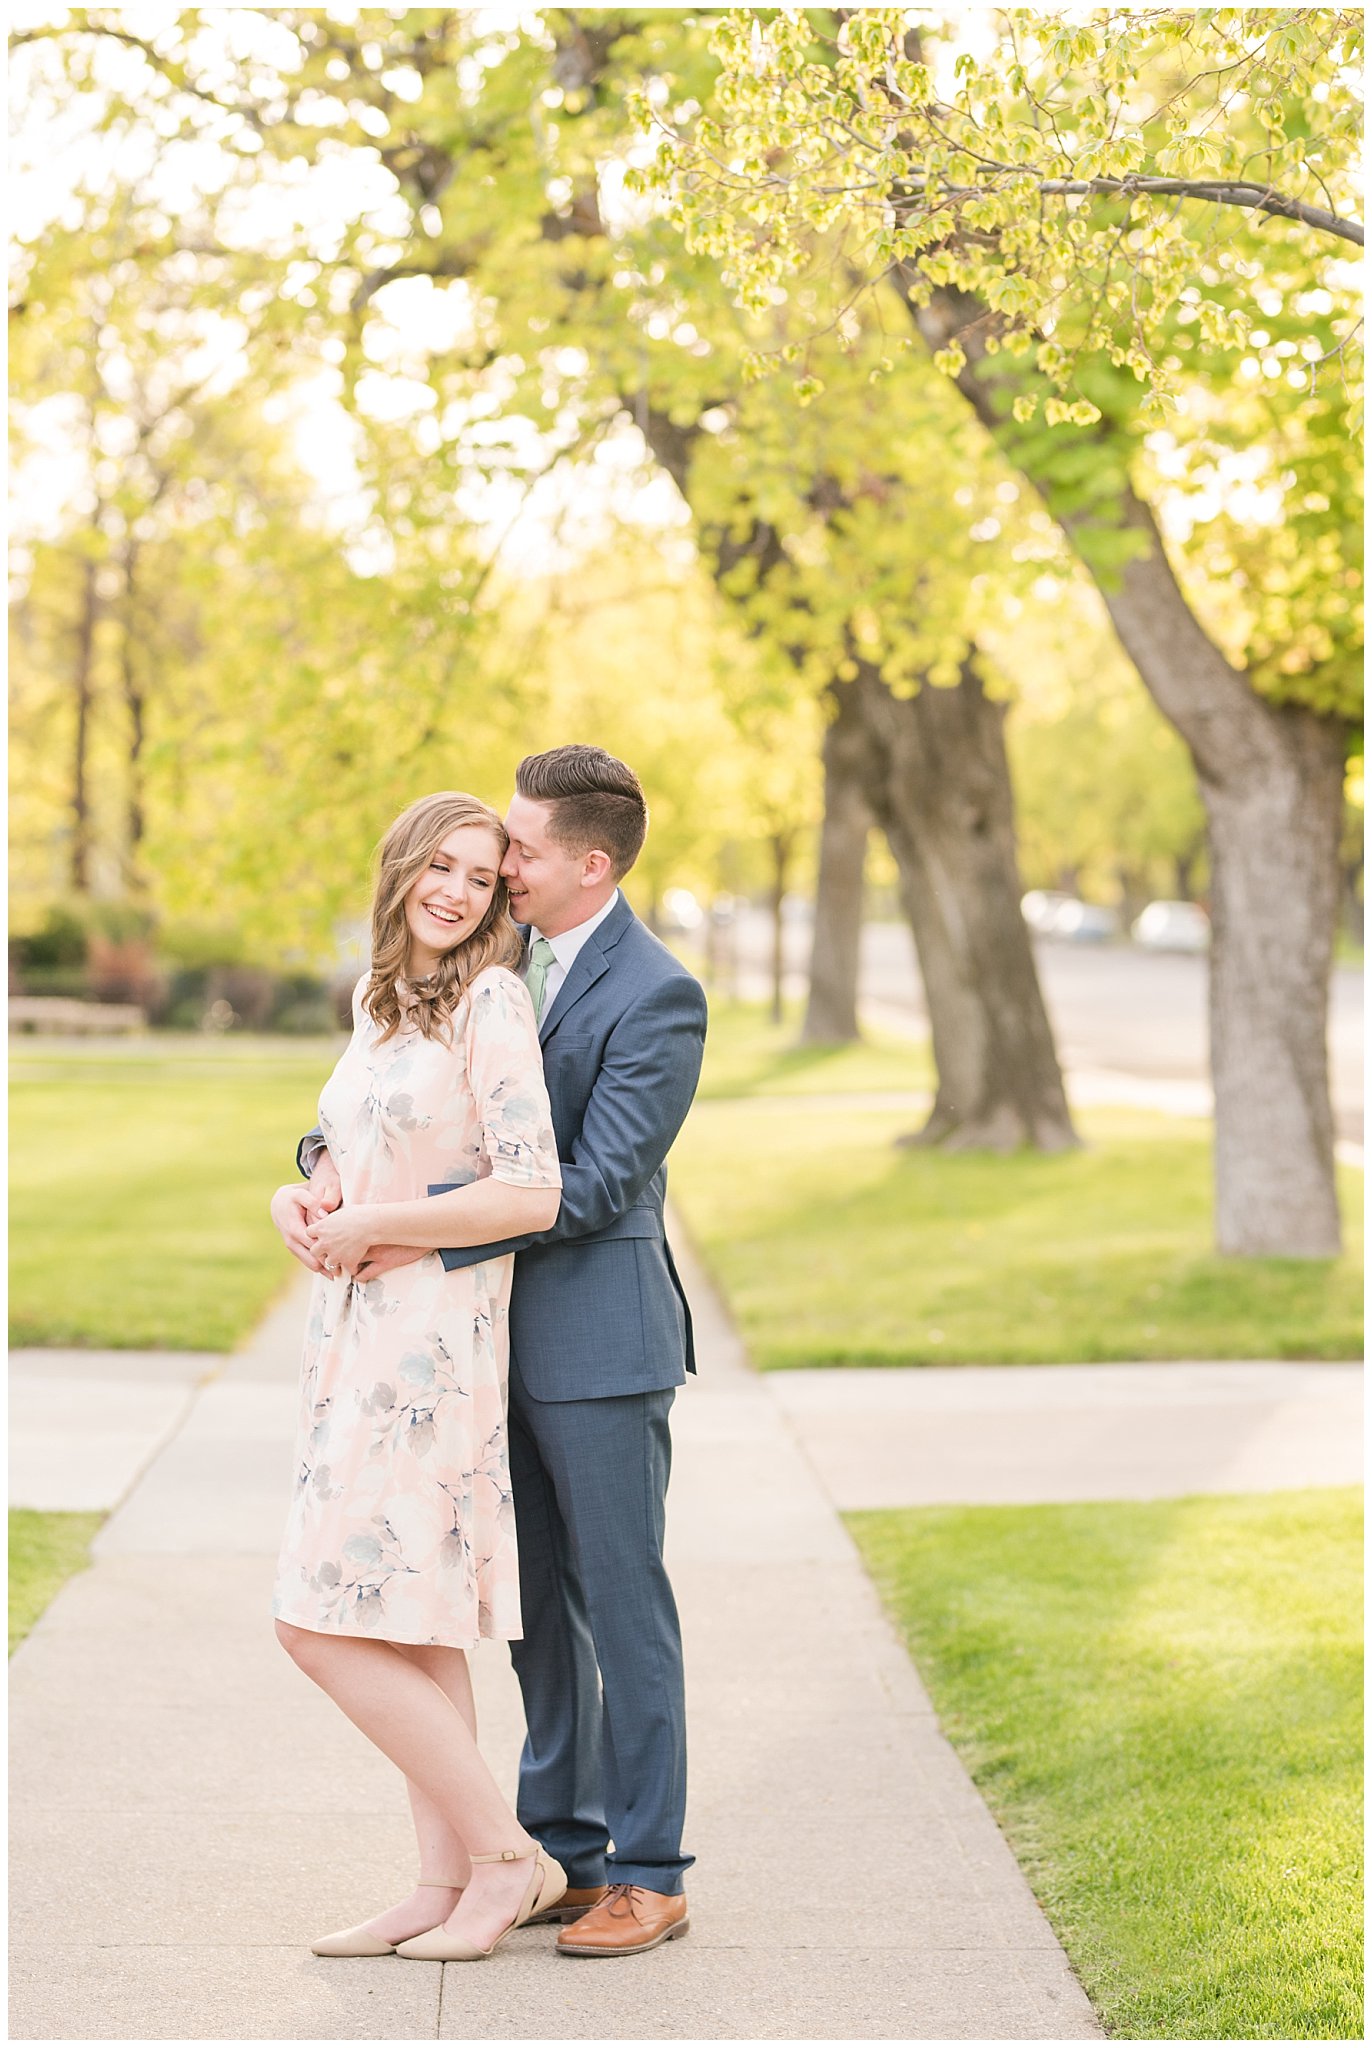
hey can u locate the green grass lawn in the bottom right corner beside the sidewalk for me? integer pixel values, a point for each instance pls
(1162, 1705)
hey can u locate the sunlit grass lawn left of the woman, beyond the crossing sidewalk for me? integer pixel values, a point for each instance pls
(140, 1177)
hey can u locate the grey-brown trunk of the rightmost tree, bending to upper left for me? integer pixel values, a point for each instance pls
(1273, 785)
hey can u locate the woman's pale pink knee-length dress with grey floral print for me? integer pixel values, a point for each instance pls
(402, 1523)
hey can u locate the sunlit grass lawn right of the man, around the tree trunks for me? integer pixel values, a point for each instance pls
(839, 1250)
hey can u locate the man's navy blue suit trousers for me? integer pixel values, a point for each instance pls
(601, 1662)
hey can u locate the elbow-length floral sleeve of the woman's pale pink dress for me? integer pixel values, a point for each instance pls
(505, 1068)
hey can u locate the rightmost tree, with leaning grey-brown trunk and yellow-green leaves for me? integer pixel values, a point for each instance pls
(1090, 296)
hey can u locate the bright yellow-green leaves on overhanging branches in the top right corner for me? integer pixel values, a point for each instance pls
(1037, 185)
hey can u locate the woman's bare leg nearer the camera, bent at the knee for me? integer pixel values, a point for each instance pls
(413, 1719)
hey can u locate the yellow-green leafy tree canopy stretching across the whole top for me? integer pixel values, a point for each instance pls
(646, 218)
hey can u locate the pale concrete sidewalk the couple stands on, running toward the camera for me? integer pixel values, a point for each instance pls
(187, 1814)
